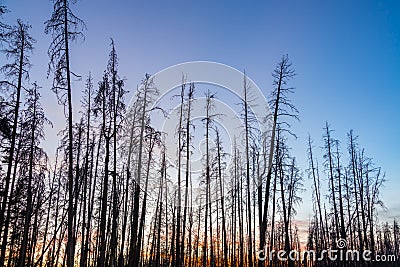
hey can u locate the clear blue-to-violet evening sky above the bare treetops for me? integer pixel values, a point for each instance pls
(346, 55)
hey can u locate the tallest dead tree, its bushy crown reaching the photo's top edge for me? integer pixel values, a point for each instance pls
(64, 27)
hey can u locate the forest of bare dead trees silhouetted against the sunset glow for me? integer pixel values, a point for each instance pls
(113, 197)
